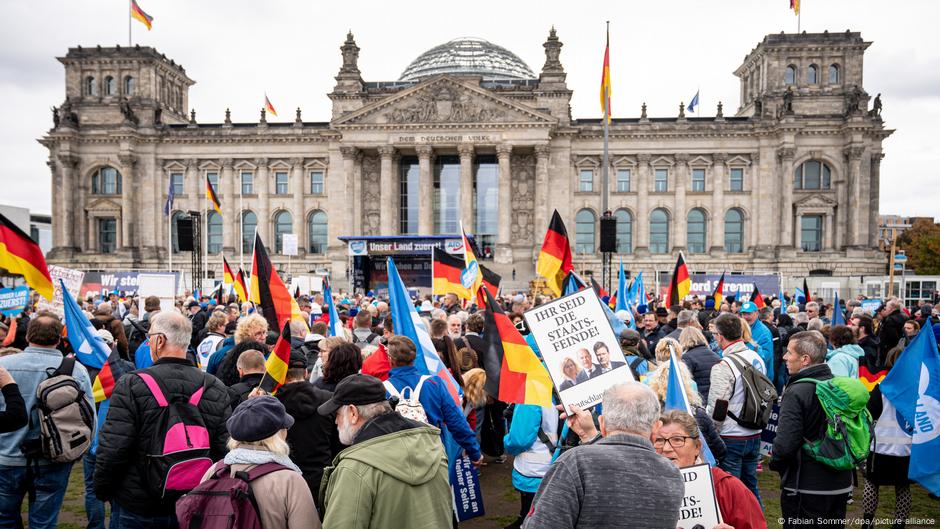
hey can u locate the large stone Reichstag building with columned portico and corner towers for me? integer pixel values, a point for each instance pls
(788, 182)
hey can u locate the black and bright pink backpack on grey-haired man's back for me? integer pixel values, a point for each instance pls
(179, 448)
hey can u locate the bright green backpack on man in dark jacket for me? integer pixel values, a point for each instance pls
(847, 438)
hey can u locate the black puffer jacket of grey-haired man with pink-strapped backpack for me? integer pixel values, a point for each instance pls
(125, 438)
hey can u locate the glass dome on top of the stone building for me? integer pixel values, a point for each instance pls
(468, 56)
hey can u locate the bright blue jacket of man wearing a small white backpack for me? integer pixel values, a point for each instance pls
(439, 406)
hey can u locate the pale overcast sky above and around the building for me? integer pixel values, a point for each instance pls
(236, 50)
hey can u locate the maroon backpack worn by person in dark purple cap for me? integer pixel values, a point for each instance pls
(223, 501)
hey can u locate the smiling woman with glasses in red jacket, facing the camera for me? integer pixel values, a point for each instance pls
(677, 439)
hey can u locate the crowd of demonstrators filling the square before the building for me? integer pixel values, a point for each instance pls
(353, 437)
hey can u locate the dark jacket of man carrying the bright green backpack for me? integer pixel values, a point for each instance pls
(803, 419)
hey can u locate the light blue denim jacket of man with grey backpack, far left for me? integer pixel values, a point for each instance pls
(28, 368)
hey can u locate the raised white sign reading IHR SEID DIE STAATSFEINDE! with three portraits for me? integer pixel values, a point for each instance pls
(579, 347)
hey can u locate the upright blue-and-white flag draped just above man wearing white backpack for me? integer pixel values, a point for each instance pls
(408, 323)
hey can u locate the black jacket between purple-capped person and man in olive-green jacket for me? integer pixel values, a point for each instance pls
(313, 438)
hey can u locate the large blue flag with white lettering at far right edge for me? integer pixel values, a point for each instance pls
(919, 404)
